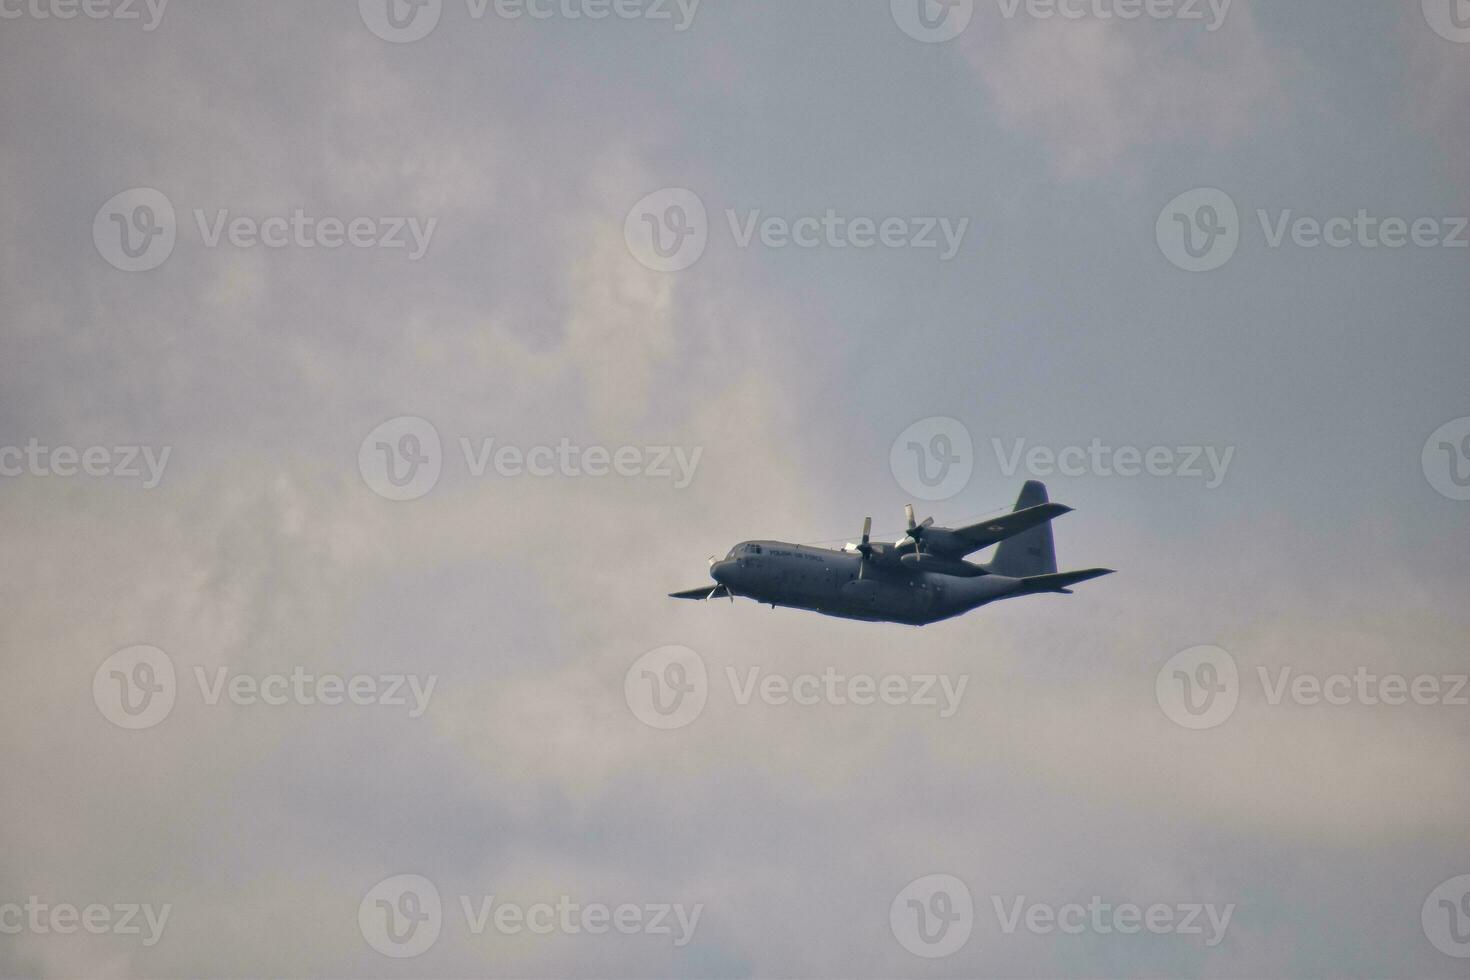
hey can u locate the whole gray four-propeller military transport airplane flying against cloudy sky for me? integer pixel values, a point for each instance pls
(922, 578)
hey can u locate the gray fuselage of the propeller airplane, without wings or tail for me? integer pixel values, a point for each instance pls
(842, 584)
